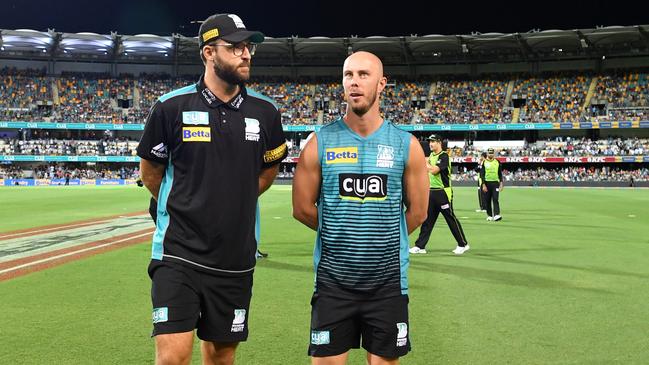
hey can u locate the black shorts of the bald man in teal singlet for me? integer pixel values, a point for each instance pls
(338, 325)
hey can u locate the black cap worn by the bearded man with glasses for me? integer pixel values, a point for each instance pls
(228, 27)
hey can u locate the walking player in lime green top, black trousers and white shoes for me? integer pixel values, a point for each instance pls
(440, 199)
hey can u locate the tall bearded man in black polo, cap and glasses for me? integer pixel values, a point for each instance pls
(208, 150)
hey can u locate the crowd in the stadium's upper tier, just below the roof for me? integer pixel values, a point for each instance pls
(30, 95)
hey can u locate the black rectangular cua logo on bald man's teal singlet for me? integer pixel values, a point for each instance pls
(363, 186)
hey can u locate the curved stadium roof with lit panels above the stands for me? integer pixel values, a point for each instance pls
(322, 51)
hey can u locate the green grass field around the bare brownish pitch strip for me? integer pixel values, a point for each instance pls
(563, 279)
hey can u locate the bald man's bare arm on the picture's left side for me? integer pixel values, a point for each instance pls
(306, 185)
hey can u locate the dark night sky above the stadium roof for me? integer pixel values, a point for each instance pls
(322, 18)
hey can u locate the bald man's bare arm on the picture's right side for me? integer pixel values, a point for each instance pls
(415, 180)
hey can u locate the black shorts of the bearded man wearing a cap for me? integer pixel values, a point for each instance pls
(185, 299)
